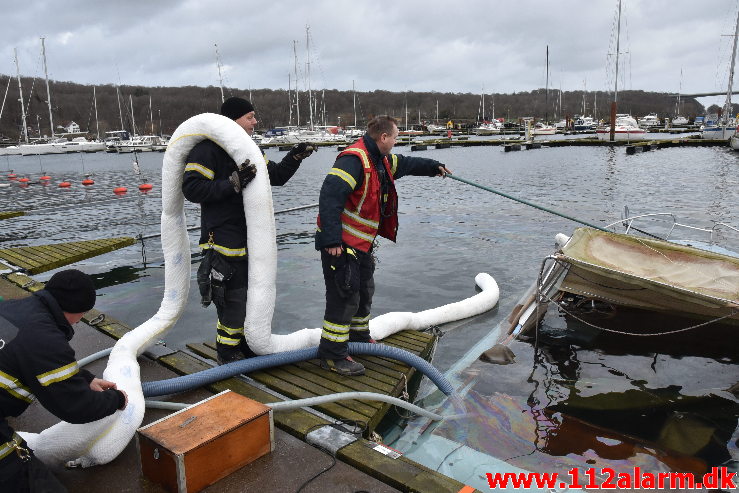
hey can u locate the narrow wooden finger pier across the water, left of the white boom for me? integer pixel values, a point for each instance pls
(42, 258)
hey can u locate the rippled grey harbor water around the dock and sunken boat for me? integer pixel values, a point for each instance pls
(572, 397)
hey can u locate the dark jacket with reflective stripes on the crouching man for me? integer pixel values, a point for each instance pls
(40, 364)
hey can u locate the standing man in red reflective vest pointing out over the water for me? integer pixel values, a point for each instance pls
(357, 203)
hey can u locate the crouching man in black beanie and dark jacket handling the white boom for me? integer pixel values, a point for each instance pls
(37, 363)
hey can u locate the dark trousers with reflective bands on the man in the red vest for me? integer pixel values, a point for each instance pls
(346, 318)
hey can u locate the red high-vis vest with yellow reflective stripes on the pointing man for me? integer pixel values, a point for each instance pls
(361, 219)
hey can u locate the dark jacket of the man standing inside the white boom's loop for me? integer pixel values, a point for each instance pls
(221, 209)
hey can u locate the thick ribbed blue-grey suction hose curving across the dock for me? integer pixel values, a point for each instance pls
(215, 374)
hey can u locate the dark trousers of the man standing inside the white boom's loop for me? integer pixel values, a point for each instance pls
(230, 301)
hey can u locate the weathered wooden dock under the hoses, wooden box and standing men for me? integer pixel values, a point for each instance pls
(361, 465)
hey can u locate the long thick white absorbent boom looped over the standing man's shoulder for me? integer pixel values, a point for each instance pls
(101, 441)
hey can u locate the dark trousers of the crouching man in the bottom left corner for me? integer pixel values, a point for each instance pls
(17, 475)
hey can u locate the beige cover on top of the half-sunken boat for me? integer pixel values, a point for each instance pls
(651, 274)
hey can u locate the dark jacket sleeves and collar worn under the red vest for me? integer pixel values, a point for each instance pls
(336, 190)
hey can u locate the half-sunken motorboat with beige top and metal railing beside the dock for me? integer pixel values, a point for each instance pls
(637, 271)
